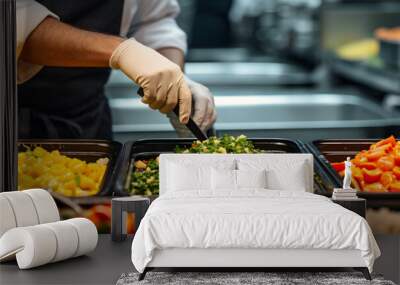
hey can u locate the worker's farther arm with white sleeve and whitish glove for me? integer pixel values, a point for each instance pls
(154, 25)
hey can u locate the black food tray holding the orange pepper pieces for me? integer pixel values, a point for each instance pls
(337, 150)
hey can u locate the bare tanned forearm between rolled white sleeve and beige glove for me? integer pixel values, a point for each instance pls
(54, 43)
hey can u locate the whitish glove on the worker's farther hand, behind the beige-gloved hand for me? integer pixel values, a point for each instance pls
(203, 110)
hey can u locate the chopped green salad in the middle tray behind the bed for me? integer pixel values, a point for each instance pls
(145, 180)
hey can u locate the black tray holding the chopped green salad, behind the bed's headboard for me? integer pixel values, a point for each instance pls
(147, 149)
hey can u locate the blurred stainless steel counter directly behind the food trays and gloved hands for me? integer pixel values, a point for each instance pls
(259, 112)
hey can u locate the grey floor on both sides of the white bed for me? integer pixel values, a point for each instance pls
(110, 260)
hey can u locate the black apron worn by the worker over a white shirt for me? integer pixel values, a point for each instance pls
(70, 102)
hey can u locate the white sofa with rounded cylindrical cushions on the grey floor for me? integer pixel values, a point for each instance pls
(31, 231)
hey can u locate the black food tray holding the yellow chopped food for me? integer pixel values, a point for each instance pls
(86, 150)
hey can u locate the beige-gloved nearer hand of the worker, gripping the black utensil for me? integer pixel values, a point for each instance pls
(162, 81)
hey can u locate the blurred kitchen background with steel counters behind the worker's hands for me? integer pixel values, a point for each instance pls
(299, 69)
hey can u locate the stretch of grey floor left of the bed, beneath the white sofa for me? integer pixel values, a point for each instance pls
(103, 266)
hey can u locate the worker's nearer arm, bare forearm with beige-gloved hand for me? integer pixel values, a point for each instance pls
(54, 43)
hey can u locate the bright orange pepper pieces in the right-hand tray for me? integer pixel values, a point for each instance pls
(376, 169)
